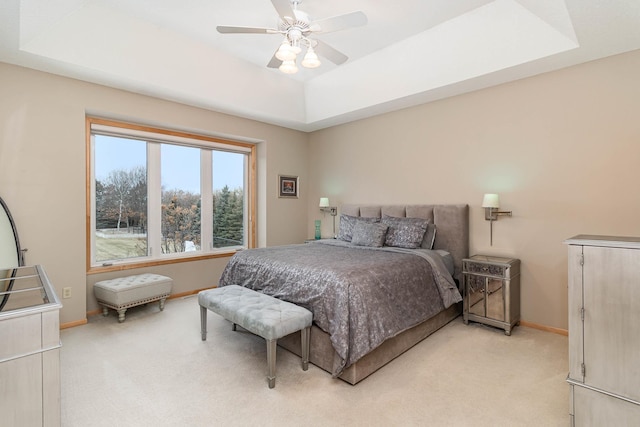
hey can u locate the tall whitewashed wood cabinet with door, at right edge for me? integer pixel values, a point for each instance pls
(604, 330)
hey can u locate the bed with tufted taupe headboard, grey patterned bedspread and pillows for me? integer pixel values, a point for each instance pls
(388, 281)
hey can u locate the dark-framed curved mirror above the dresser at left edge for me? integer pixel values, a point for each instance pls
(11, 256)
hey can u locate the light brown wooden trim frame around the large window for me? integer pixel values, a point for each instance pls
(201, 139)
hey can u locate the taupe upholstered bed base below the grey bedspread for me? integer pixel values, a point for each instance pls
(322, 353)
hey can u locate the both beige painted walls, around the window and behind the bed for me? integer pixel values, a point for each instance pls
(562, 149)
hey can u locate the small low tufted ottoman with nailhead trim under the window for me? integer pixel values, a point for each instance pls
(126, 292)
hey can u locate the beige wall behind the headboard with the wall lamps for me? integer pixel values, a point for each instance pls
(562, 150)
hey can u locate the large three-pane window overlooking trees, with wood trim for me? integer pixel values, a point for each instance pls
(158, 196)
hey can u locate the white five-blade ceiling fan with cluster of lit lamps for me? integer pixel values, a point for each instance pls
(297, 28)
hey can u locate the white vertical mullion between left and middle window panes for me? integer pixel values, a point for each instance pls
(154, 195)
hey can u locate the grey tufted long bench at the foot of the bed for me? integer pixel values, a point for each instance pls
(260, 314)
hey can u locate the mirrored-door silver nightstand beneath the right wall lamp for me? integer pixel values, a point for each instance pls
(491, 291)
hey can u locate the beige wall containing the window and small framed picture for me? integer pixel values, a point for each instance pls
(42, 174)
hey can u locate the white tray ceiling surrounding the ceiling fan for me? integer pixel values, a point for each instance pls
(410, 51)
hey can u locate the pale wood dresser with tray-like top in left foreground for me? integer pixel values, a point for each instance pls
(29, 348)
